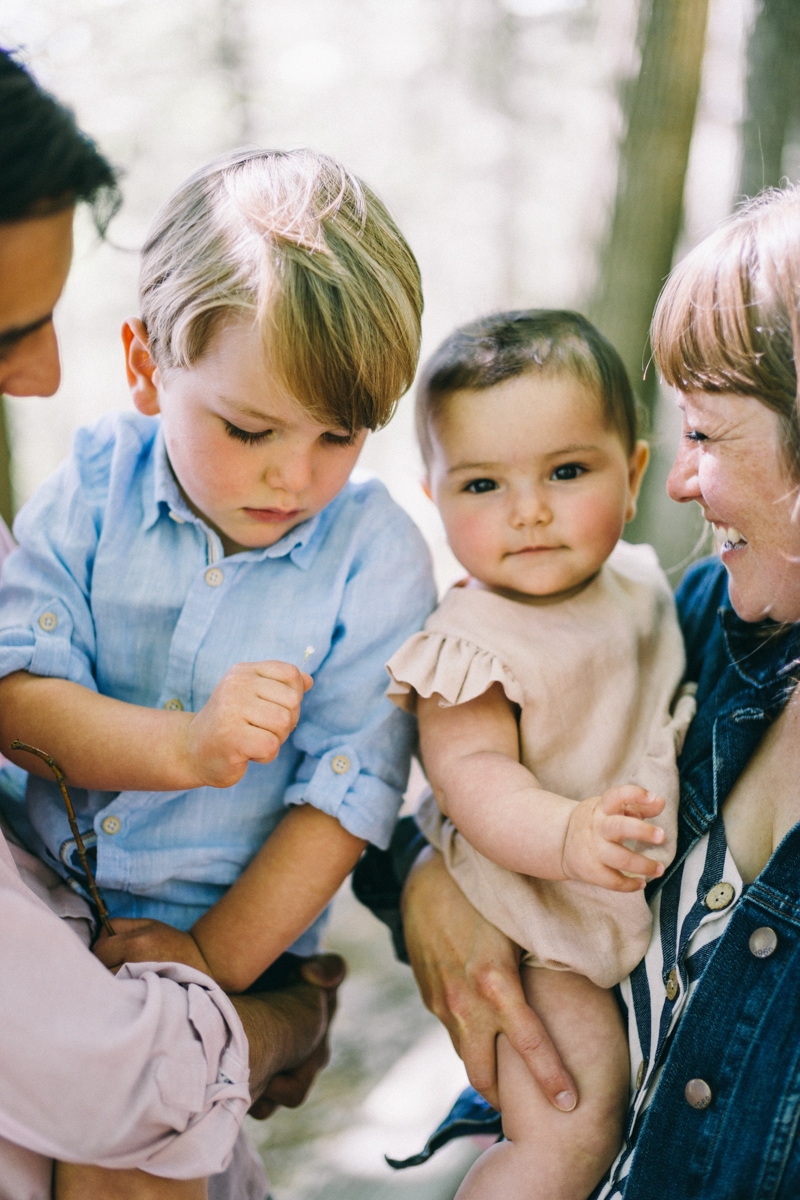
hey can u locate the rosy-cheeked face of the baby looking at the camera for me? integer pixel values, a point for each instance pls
(532, 485)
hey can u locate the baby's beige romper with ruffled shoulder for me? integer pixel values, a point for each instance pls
(597, 679)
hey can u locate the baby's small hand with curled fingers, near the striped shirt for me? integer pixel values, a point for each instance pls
(593, 848)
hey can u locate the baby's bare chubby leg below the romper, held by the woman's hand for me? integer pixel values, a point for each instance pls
(550, 1155)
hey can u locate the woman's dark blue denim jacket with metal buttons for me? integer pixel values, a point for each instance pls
(742, 1030)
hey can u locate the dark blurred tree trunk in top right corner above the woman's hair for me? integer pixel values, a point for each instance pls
(773, 99)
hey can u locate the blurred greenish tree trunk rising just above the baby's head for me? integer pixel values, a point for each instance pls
(660, 111)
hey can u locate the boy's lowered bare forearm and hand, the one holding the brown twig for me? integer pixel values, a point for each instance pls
(287, 886)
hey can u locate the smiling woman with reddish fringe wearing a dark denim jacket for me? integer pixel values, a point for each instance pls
(713, 1015)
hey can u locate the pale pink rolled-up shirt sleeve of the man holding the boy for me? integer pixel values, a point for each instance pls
(148, 1069)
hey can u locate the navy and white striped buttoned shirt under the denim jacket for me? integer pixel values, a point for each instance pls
(690, 915)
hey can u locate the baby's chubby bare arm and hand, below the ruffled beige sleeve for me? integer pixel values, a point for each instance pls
(472, 759)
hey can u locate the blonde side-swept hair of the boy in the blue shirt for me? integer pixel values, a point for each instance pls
(296, 243)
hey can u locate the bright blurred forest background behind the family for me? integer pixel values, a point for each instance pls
(536, 153)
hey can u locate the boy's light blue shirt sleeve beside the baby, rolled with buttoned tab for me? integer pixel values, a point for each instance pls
(357, 746)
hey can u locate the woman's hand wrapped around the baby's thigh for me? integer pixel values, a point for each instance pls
(468, 974)
